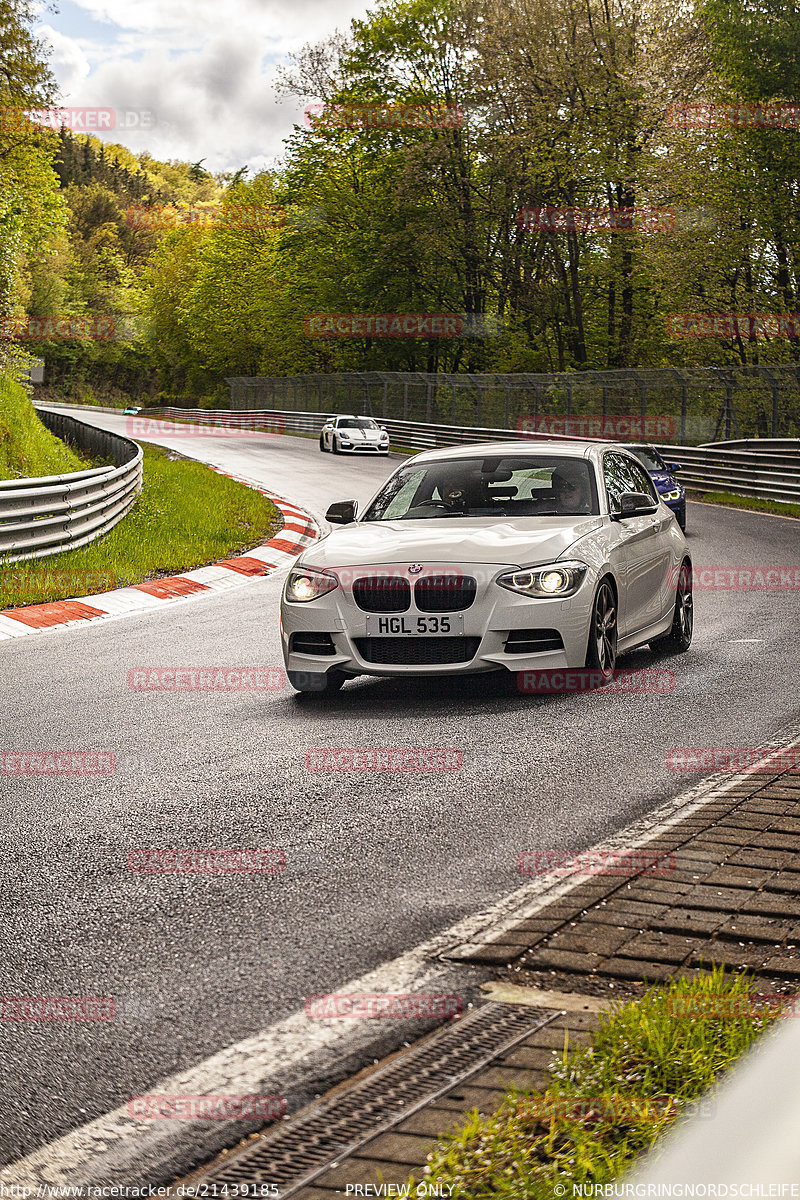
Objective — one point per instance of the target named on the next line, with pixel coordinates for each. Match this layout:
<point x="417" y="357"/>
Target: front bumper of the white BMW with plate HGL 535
<point x="502" y="629"/>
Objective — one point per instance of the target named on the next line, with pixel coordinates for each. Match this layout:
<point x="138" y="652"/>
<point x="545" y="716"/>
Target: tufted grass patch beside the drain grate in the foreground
<point x="607" y="1103"/>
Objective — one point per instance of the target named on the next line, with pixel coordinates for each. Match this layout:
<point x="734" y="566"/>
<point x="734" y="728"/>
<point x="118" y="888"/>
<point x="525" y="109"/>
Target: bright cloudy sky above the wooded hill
<point x="188" y="80"/>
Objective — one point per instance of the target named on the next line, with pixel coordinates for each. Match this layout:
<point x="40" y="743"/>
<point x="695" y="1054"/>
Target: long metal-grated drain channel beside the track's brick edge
<point x="294" y="1154"/>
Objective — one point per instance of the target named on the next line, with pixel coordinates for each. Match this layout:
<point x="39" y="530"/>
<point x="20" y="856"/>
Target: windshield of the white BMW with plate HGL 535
<point x="515" y="487"/>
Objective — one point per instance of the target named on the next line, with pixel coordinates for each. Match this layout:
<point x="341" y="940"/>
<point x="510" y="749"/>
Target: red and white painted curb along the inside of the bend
<point x="299" y="531"/>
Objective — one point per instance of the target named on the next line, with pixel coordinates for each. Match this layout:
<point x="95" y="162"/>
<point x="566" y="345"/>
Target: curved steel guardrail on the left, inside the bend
<point x="56" y="513"/>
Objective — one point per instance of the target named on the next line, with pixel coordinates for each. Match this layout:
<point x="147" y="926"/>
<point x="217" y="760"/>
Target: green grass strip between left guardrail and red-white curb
<point x="187" y="517"/>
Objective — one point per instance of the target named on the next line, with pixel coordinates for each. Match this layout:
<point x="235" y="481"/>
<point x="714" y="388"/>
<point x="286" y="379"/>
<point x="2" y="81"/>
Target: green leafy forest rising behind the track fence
<point x="570" y="177"/>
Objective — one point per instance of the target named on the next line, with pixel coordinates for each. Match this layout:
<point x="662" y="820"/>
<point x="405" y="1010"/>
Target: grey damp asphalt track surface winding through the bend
<point x="376" y="865"/>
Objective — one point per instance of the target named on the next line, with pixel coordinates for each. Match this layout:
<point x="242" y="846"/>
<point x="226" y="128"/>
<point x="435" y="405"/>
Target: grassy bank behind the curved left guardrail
<point x="27" y="448"/>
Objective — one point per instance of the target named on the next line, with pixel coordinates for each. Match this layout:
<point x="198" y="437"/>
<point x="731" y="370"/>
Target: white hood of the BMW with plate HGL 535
<point x="525" y="542"/>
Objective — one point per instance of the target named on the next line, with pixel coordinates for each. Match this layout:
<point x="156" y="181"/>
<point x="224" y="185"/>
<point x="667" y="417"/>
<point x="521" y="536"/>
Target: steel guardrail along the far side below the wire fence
<point x="768" y="469"/>
